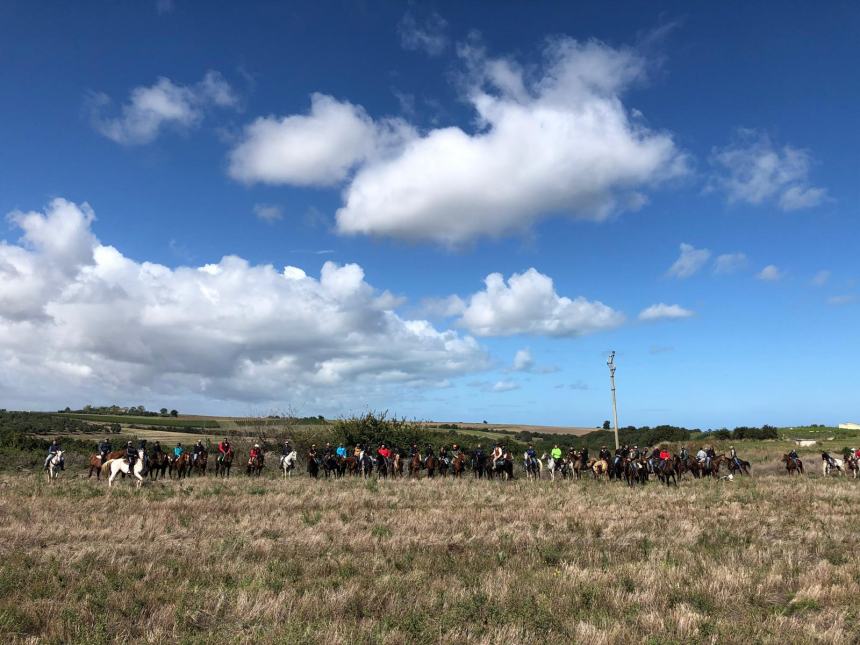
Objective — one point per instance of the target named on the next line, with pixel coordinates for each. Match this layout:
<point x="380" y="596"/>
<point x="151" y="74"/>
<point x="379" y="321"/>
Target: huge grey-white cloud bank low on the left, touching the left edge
<point x="78" y="318"/>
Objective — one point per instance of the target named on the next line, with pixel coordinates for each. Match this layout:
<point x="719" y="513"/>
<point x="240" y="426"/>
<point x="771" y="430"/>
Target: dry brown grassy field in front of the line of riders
<point x="767" y="559"/>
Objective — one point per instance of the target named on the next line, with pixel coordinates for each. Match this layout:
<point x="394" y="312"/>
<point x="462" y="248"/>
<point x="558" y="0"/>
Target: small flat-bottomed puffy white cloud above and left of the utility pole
<point x="528" y="304"/>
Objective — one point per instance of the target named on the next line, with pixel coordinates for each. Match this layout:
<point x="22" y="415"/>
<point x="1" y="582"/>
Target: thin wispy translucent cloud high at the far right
<point x="755" y="171"/>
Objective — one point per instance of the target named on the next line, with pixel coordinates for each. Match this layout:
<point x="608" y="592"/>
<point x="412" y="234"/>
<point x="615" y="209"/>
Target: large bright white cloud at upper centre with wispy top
<point x="556" y="141"/>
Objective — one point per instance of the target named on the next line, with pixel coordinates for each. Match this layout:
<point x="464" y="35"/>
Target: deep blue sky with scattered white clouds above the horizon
<point x="500" y="194"/>
